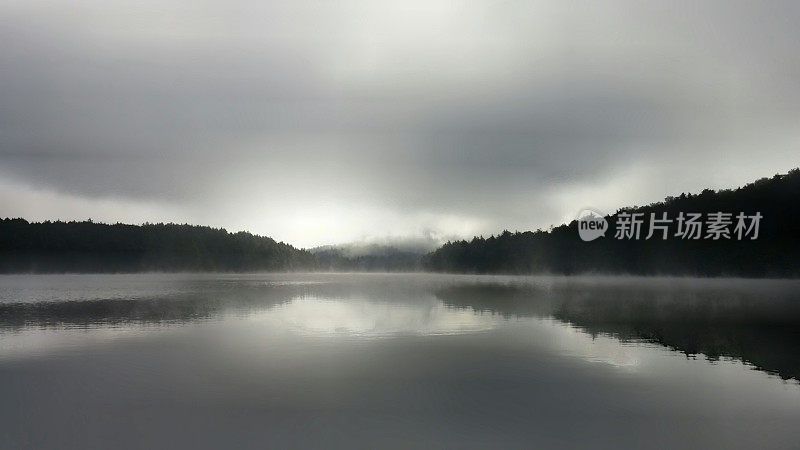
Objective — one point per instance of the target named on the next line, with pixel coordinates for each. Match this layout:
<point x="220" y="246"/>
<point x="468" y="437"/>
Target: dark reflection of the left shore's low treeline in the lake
<point x="179" y="308"/>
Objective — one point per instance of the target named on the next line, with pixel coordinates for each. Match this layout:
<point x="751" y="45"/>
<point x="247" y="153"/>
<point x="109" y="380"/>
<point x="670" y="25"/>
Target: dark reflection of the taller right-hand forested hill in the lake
<point x="756" y="322"/>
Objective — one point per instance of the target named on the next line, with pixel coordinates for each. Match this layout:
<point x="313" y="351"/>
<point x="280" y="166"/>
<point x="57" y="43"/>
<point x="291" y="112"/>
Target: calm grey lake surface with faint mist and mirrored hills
<point x="397" y="361"/>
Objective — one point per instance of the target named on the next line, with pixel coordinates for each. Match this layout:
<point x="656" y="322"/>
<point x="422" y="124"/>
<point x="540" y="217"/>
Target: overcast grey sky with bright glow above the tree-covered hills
<point x="319" y="122"/>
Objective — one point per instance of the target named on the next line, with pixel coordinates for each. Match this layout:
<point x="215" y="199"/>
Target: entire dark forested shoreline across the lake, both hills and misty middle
<point x="95" y="247"/>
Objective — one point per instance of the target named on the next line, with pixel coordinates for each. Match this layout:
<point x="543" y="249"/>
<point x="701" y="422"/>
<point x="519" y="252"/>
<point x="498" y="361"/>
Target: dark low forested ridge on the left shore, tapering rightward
<point x="93" y="247"/>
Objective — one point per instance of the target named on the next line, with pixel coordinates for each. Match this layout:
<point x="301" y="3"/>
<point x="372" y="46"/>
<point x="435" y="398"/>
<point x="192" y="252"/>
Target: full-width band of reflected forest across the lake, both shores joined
<point x="755" y="321"/>
